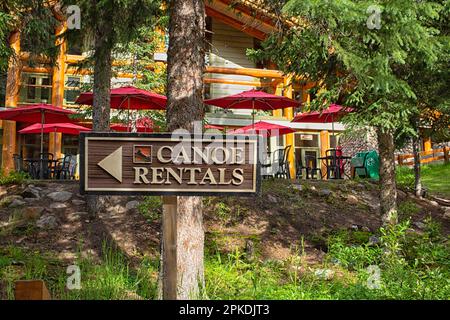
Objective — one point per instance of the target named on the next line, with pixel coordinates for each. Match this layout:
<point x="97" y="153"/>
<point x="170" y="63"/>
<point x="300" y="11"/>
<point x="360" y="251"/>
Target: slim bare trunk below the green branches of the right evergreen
<point x="388" y="191"/>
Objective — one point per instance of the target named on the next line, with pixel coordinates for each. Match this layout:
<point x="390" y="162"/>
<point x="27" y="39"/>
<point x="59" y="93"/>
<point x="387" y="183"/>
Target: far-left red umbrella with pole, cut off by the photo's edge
<point x="42" y="113"/>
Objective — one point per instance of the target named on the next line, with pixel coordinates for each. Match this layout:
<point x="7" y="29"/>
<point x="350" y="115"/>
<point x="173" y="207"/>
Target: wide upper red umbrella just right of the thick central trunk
<point x="253" y="99"/>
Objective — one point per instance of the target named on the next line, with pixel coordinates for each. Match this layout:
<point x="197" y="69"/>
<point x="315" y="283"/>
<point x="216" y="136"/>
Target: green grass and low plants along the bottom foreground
<point x="411" y="266"/>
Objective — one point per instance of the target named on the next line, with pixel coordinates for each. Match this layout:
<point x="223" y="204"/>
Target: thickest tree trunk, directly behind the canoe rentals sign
<point x="185" y="67"/>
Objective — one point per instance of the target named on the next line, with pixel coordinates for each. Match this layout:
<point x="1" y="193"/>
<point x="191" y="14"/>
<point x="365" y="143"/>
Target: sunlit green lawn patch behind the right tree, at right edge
<point x="435" y="178"/>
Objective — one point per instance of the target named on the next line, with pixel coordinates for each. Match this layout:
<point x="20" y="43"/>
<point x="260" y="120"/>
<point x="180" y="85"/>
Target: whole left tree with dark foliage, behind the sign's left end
<point x="110" y="24"/>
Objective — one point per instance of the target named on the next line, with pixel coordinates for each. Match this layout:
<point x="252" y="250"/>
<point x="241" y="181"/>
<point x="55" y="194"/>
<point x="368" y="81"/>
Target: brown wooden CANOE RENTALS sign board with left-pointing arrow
<point x="161" y="164"/>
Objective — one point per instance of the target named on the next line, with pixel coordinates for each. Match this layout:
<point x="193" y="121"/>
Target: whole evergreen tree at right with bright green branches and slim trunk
<point x="354" y="49"/>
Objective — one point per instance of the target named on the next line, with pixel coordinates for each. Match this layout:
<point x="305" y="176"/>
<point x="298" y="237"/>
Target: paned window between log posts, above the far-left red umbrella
<point x="35" y="88"/>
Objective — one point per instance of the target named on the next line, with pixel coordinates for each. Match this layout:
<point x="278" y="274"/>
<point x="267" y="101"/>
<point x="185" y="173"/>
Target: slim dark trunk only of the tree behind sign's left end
<point x="102" y="86"/>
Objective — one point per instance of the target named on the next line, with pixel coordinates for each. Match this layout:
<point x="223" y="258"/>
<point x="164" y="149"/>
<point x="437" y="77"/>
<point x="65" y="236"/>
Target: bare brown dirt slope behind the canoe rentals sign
<point x="285" y="218"/>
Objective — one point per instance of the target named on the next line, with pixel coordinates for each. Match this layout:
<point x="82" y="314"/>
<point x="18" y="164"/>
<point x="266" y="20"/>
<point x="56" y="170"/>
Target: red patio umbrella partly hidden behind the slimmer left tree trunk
<point x="129" y="98"/>
